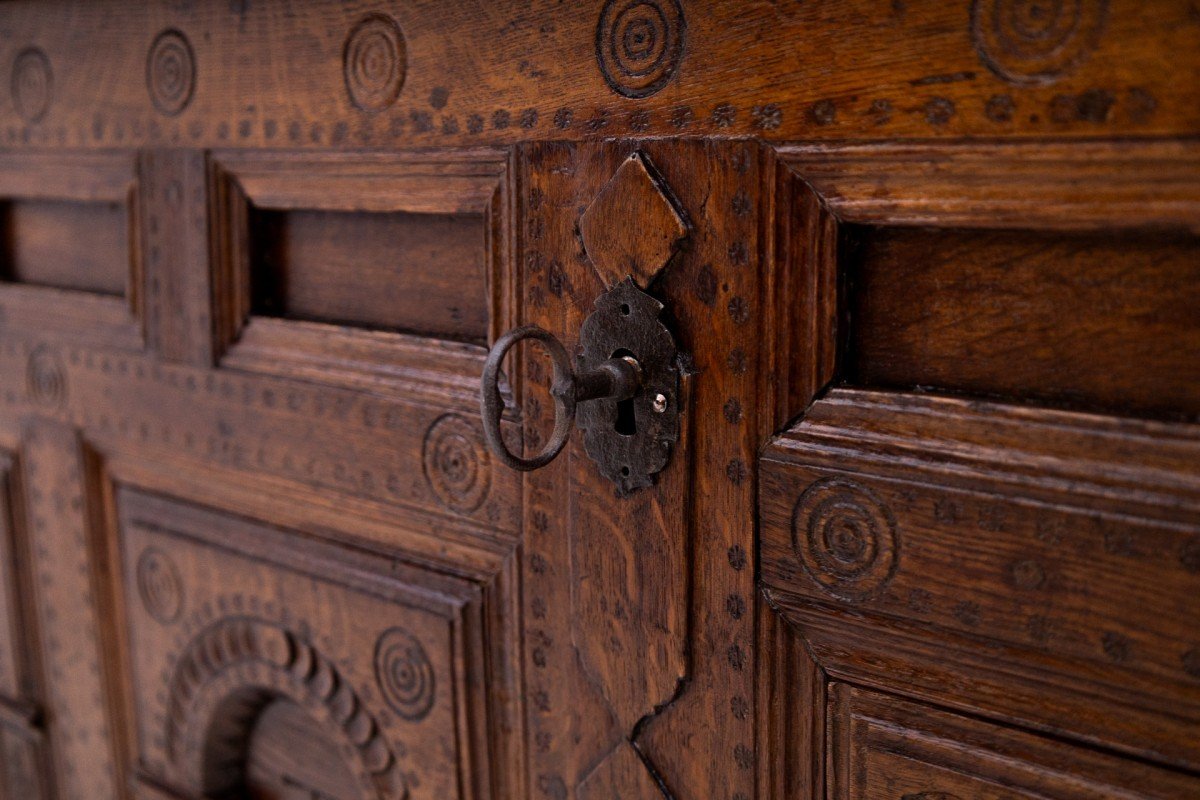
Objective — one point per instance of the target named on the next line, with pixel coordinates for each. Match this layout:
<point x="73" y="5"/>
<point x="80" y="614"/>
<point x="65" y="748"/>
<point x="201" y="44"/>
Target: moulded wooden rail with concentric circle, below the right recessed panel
<point x="1031" y="566"/>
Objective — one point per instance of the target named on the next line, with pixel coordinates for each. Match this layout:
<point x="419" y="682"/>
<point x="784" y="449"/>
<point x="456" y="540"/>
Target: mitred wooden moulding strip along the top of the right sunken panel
<point x="1054" y="185"/>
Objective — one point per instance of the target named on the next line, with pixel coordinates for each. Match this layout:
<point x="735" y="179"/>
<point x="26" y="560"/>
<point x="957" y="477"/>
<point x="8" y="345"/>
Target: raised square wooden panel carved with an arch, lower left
<point x="265" y="661"/>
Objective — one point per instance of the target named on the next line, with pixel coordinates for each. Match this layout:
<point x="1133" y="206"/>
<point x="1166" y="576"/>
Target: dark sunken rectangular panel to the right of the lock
<point x="1089" y="321"/>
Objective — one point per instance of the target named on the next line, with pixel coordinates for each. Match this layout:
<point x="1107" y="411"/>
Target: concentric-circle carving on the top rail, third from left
<point x="375" y="63"/>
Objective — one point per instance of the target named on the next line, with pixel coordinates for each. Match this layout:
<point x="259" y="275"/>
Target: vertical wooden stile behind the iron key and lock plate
<point x="640" y="652"/>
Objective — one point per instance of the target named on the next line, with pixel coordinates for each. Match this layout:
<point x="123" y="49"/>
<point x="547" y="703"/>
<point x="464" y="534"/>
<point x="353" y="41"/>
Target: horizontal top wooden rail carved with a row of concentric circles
<point x="483" y="71"/>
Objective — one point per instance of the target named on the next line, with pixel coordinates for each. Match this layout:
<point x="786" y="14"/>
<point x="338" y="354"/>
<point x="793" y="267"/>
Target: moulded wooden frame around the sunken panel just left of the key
<point x="442" y="182"/>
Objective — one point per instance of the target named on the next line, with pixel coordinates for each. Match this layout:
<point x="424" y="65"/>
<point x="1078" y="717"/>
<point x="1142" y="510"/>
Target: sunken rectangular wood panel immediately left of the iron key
<point x="416" y="273"/>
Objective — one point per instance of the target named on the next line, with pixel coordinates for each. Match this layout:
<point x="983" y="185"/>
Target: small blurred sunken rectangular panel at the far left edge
<point x="67" y="245"/>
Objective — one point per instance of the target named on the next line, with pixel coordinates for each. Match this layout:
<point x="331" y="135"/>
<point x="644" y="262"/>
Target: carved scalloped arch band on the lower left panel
<point x="233" y="669"/>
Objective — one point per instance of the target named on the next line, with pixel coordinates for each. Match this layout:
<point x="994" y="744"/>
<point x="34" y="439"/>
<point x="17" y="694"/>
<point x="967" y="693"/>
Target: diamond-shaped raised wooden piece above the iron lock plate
<point x="633" y="227"/>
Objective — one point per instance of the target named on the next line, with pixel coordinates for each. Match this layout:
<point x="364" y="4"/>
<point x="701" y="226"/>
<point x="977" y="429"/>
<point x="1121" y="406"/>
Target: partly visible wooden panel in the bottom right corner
<point x="886" y="749"/>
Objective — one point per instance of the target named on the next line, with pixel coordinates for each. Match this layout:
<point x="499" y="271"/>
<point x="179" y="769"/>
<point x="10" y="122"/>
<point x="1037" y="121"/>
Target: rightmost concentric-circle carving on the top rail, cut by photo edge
<point x="1036" y="41"/>
